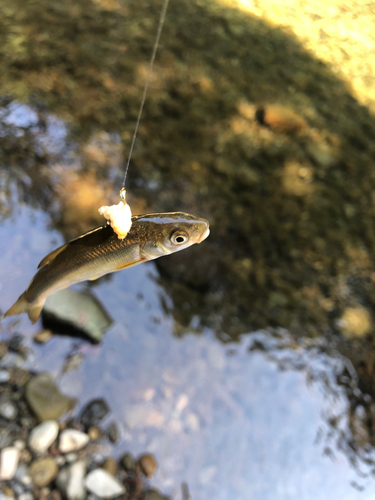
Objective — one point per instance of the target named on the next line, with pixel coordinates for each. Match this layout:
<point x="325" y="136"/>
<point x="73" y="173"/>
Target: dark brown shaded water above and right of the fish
<point x="241" y="125"/>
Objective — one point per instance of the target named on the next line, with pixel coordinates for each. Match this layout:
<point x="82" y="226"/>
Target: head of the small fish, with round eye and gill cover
<point x="171" y="232"/>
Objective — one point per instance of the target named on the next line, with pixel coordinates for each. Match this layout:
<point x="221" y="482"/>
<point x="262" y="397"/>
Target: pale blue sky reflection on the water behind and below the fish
<point x="224" y="419"/>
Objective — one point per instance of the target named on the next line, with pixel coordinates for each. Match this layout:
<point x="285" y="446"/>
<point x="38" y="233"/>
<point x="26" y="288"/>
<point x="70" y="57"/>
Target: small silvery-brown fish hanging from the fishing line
<point x="100" y="251"/>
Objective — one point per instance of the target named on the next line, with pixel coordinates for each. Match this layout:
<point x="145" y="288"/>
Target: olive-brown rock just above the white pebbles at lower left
<point x="45" y="398"/>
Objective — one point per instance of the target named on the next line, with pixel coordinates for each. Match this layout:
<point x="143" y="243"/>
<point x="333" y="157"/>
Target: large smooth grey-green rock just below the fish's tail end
<point x="81" y="313"/>
